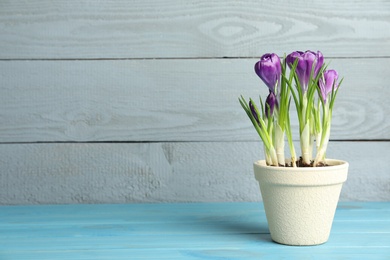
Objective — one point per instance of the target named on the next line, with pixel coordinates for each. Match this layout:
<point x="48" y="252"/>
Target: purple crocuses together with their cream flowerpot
<point x="300" y="195"/>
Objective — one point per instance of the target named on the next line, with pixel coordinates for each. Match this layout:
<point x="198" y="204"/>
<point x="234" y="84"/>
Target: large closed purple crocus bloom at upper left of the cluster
<point x="269" y="70"/>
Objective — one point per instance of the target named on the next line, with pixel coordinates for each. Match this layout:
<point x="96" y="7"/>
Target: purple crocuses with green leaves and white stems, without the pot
<point x="304" y="78"/>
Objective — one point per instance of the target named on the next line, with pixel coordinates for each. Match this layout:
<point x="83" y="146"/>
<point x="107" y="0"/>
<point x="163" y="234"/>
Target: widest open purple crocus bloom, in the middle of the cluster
<point x="306" y="61"/>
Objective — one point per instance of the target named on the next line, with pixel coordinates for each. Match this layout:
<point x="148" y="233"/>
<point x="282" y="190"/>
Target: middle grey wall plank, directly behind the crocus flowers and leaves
<point x="167" y="100"/>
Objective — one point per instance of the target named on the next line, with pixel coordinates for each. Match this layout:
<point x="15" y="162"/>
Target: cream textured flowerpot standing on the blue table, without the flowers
<point x="300" y="203"/>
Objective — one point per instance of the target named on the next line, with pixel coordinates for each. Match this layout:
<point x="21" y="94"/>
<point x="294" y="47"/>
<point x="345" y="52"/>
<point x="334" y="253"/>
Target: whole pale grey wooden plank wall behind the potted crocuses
<point x="136" y="101"/>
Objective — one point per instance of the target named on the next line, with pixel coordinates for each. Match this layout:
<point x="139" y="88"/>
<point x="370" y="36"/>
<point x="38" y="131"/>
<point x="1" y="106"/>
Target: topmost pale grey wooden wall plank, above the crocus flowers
<point x="153" y="29"/>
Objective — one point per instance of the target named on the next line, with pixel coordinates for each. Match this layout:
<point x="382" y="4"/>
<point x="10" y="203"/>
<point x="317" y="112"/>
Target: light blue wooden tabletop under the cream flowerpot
<point x="181" y="231"/>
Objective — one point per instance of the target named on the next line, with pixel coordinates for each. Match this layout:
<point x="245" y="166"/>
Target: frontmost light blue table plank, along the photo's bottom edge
<point x="224" y="253"/>
